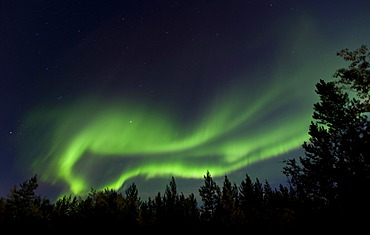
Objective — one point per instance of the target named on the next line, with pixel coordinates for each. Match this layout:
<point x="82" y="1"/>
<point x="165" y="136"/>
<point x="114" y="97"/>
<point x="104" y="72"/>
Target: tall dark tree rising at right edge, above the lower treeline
<point x="335" y="171"/>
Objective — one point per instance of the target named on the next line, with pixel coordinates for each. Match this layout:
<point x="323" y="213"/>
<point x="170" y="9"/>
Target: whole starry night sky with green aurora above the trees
<point x="105" y="93"/>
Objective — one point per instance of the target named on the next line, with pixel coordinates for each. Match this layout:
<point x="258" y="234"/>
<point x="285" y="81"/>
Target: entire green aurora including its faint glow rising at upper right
<point x="103" y="141"/>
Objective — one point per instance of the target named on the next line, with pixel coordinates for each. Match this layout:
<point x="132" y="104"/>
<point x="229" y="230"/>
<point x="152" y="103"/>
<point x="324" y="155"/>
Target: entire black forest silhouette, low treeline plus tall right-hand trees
<point x="327" y="188"/>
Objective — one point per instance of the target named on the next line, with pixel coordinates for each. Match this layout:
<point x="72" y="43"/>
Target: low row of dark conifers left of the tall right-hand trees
<point x="249" y="205"/>
